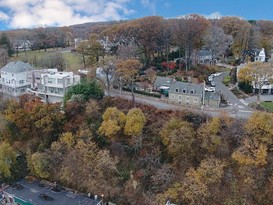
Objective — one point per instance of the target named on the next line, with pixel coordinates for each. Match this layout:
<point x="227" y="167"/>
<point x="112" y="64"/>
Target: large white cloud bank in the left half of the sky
<point x="33" y="13"/>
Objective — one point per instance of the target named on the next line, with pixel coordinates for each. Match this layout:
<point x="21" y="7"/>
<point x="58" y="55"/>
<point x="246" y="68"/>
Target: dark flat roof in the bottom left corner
<point x="32" y="190"/>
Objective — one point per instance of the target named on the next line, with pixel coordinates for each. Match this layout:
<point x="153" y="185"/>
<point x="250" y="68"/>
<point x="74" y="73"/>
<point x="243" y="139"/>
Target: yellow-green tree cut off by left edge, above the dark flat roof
<point x="7" y="159"/>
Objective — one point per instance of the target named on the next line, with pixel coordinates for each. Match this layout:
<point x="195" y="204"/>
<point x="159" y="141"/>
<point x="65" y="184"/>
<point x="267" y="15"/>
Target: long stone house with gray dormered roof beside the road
<point x="186" y="94"/>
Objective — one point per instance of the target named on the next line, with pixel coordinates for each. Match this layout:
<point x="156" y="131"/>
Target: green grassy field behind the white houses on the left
<point x="72" y="60"/>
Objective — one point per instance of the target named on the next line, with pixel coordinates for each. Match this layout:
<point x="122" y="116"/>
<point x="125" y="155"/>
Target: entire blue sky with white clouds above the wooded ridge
<point x="36" y="13"/>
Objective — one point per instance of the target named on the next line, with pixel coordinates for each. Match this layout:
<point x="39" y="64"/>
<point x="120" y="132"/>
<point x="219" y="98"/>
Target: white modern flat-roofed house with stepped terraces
<point x="51" y="85"/>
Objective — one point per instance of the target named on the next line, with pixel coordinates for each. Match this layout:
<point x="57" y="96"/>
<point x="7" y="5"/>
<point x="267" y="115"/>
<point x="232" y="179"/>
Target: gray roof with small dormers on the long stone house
<point x="186" y="88"/>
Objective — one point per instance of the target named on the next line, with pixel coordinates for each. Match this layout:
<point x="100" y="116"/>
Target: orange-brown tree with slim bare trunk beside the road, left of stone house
<point x="127" y="70"/>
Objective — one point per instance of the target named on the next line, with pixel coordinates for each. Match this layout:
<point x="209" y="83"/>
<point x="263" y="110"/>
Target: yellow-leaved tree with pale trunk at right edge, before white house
<point x="258" y="73"/>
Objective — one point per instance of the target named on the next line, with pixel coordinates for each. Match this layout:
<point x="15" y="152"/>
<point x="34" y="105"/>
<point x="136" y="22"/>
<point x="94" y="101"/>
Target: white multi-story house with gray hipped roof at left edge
<point x="14" y="78"/>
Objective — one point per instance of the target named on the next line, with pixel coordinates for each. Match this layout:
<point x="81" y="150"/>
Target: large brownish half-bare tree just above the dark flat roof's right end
<point x="86" y="166"/>
